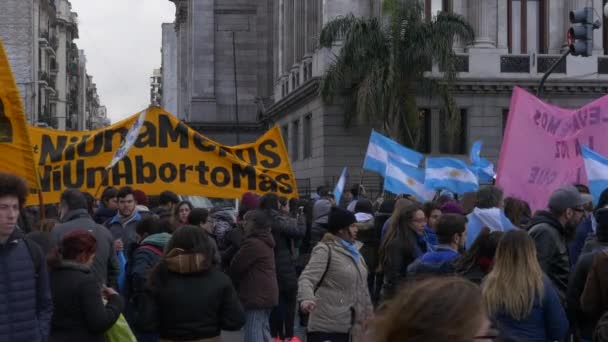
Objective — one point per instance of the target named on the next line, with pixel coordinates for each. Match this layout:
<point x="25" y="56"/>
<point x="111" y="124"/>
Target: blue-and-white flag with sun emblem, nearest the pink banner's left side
<point x="450" y="174"/>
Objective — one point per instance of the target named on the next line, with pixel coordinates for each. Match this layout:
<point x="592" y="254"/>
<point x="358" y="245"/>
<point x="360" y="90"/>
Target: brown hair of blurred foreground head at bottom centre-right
<point x="435" y="309"/>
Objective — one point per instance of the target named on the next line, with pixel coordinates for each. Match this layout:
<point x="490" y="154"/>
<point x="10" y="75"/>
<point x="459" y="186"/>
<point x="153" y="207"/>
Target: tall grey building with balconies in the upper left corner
<point x="38" y="36"/>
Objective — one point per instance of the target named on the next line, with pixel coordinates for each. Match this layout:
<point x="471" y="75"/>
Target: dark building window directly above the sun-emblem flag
<point x="453" y="135"/>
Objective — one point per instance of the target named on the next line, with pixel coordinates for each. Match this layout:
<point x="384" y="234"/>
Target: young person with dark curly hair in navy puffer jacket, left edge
<point x="26" y="310"/>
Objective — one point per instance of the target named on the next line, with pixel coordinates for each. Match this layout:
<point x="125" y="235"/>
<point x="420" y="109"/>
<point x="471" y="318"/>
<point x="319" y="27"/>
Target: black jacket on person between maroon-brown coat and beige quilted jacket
<point x="285" y="231"/>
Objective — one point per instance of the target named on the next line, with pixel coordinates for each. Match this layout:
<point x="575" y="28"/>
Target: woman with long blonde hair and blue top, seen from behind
<point x="519" y="297"/>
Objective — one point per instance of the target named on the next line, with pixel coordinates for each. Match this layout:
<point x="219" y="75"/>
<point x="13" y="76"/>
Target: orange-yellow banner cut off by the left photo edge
<point x="15" y="148"/>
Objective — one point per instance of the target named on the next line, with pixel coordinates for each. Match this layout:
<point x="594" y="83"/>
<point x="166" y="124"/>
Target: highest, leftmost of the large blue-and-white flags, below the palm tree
<point x="381" y="147"/>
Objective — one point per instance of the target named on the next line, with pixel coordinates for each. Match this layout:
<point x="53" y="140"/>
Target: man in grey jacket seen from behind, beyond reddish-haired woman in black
<point x="74" y="216"/>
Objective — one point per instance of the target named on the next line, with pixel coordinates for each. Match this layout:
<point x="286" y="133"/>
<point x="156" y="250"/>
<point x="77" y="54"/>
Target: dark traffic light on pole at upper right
<point x="580" y="36"/>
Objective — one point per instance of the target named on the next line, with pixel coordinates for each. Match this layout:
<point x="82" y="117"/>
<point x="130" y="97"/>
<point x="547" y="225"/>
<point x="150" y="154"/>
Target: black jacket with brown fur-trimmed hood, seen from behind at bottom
<point x="189" y="299"/>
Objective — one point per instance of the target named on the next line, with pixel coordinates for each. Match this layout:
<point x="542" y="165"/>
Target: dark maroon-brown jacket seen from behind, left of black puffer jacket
<point x="253" y="272"/>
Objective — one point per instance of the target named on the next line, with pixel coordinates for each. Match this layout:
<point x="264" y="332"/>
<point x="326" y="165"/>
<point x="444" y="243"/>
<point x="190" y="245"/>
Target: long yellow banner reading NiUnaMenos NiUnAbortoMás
<point x="167" y="155"/>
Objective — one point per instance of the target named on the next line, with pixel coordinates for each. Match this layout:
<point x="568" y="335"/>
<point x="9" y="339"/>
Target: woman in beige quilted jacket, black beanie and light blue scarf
<point x="333" y="289"/>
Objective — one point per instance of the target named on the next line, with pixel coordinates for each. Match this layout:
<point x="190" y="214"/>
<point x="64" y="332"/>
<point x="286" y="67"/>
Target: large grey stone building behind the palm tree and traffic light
<point x="515" y="43"/>
